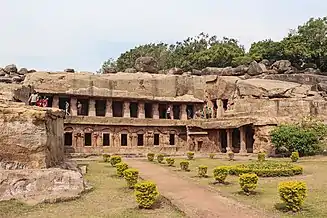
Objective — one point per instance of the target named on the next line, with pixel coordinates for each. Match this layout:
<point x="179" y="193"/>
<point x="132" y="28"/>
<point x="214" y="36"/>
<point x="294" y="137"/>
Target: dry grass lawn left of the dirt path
<point x="110" y="198"/>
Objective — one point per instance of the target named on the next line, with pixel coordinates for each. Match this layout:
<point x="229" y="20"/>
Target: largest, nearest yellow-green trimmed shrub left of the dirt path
<point x="146" y="194"/>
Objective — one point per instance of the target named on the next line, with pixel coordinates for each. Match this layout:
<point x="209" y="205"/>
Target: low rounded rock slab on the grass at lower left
<point x="41" y="186"/>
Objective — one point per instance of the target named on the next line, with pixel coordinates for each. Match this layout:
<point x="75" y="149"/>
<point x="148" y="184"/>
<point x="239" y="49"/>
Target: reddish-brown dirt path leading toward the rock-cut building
<point x="193" y="199"/>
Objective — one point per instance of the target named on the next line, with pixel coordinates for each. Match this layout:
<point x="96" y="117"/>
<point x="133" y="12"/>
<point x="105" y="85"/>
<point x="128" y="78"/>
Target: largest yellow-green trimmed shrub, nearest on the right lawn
<point x="292" y="193"/>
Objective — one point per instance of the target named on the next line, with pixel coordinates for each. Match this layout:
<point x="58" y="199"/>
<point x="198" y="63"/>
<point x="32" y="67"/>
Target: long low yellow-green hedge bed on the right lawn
<point x="267" y="169"/>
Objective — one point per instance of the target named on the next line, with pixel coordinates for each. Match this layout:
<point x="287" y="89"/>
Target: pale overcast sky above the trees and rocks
<point x="81" y="34"/>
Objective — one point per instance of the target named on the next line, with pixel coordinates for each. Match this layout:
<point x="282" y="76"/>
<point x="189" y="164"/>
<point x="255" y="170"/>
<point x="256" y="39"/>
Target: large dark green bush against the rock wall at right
<point x="305" y="137"/>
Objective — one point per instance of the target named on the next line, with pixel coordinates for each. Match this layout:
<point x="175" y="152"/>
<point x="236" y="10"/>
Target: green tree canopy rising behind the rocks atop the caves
<point x="304" y="46"/>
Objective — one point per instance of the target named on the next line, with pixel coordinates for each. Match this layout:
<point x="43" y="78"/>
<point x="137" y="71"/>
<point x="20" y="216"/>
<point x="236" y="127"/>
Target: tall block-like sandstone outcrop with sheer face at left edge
<point x="30" y="137"/>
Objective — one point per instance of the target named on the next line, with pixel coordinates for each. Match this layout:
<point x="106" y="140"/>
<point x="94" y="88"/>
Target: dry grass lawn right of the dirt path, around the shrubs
<point x="315" y="175"/>
